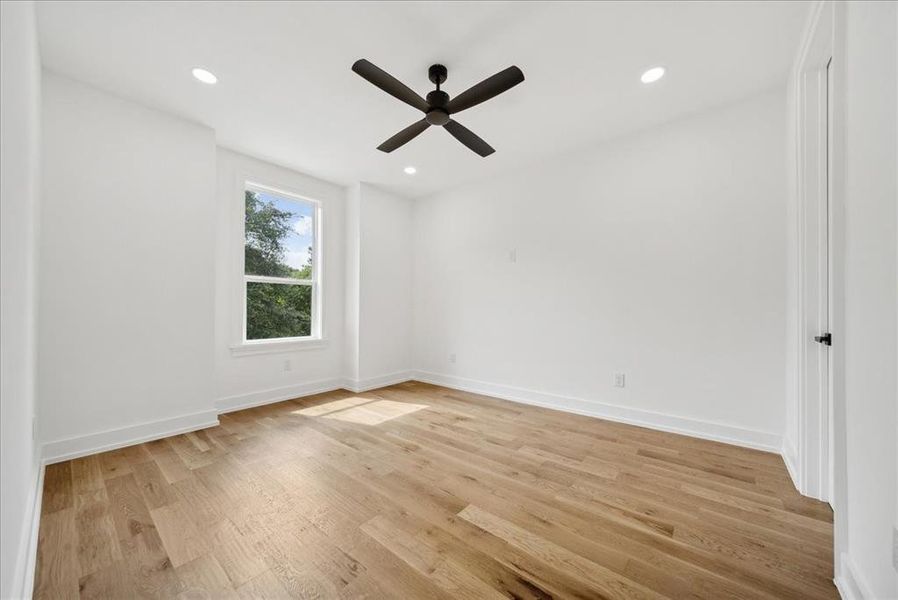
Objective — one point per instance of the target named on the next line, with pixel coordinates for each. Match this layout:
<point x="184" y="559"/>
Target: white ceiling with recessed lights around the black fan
<point x="286" y="92"/>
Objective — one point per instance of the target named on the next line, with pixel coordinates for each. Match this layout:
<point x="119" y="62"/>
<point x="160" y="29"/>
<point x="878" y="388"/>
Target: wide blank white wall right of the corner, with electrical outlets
<point x="660" y="255"/>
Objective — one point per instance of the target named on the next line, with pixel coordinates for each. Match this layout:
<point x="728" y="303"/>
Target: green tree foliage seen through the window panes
<point x="273" y="310"/>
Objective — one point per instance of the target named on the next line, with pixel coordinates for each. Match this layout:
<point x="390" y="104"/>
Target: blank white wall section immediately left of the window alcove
<point x="126" y="269"/>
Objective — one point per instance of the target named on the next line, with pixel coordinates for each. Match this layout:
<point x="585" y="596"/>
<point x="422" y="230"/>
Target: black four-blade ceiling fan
<point x="438" y="108"/>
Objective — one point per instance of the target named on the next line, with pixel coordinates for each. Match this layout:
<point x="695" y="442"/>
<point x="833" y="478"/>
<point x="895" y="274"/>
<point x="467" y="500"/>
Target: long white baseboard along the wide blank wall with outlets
<point x="719" y="432"/>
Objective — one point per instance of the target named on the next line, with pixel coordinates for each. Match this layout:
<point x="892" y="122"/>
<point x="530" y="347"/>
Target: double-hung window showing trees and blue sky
<point x="280" y="266"/>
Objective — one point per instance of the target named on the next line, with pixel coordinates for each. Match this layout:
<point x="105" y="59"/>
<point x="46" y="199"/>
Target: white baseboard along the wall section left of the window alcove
<point x="60" y="450"/>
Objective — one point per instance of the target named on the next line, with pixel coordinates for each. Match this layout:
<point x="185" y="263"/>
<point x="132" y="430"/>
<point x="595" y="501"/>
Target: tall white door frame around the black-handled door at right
<point x="820" y="402"/>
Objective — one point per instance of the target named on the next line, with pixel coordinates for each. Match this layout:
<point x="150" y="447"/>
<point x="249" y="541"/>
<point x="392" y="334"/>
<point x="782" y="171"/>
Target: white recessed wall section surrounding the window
<point x="242" y="380"/>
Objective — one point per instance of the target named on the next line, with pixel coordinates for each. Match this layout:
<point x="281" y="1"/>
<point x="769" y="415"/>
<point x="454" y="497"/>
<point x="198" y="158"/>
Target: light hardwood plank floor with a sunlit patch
<point x="417" y="491"/>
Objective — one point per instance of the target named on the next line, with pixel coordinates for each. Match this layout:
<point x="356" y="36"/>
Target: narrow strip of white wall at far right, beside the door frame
<point x="871" y="356"/>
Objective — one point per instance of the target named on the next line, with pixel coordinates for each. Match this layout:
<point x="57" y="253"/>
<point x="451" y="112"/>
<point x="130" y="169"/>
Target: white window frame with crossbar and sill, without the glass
<point x="269" y="345"/>
